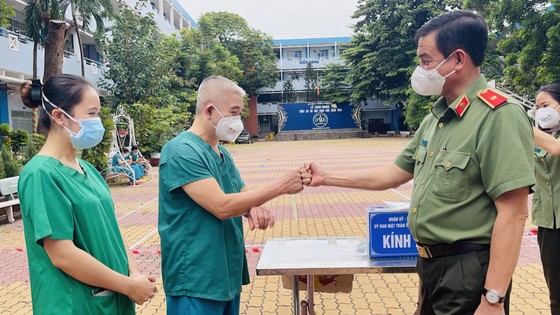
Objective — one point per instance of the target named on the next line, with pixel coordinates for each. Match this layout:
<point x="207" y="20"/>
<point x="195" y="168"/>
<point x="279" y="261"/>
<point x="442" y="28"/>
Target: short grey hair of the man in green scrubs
<point x="215" y="89"/>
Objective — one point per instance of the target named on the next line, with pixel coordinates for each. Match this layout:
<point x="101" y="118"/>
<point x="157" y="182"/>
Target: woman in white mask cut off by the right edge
<point x="546" y="205"/>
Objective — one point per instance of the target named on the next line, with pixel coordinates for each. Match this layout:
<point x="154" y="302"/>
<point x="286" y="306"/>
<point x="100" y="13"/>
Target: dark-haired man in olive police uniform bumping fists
<point x="471" y="161"/>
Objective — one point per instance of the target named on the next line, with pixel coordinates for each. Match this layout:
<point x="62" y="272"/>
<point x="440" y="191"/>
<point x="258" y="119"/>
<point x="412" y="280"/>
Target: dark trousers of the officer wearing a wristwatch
<point x="452" y="285"/>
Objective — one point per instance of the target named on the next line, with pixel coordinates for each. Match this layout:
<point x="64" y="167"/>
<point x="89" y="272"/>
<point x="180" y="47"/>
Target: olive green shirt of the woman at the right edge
<point x="546" y="206"/>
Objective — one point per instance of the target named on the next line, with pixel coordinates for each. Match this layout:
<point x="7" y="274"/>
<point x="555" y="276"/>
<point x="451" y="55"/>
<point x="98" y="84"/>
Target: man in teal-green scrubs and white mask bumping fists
<point x="201" y="200"/>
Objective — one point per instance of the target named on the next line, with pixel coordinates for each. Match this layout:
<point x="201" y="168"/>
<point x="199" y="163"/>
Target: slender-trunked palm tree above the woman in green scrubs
<point x="88" y="10"/>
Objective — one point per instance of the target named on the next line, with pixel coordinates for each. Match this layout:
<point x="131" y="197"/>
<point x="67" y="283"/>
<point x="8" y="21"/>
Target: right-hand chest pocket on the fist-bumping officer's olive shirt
<point x="451" y="176"/>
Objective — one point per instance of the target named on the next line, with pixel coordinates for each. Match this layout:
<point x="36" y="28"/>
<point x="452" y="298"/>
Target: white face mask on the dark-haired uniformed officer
<point x="429" y="82"/>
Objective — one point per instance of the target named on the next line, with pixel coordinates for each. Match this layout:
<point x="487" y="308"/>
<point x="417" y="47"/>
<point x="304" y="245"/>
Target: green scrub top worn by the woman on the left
<point x="59" y="202"/>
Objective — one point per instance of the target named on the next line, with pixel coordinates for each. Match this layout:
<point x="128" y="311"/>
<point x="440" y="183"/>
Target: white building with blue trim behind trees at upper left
<point x="16" y="51"/>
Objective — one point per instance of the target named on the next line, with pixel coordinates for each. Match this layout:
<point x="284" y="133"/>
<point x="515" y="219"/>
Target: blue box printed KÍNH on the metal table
<point x="387" y="232"/>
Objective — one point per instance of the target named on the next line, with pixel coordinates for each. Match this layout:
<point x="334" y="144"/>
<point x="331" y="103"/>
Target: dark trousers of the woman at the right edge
<point x="549" y="244"/>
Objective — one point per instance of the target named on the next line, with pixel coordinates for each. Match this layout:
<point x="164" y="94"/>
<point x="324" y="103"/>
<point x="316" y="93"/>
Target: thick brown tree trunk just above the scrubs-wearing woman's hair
<point x="54" y="48"/>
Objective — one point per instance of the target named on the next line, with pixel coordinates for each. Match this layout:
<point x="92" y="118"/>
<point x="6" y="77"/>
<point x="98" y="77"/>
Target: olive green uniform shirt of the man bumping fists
<point x="462" y="163"/>
